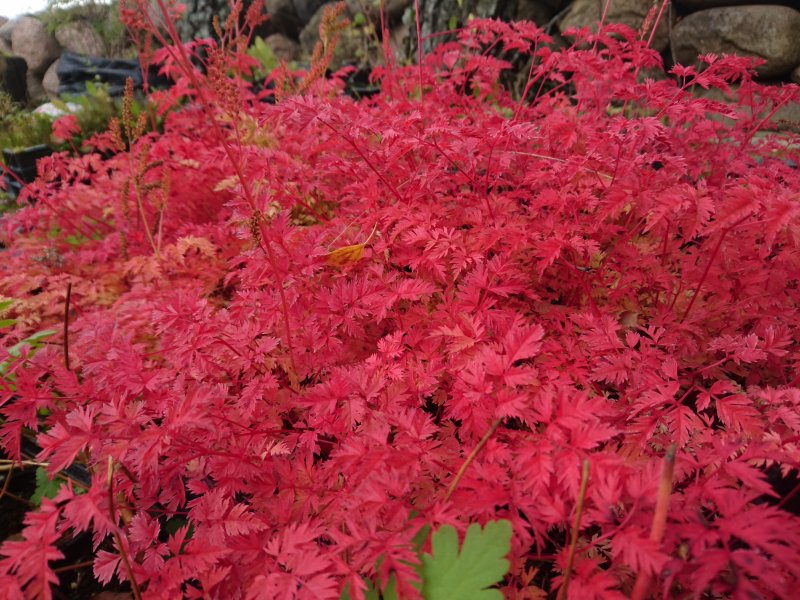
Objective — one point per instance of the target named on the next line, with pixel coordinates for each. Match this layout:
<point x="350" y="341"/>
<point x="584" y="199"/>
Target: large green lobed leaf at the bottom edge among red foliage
<point x="469" y="574"/>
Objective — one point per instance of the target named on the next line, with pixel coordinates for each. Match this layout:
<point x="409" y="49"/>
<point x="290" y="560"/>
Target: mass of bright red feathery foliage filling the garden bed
<point x="601" y="269"/>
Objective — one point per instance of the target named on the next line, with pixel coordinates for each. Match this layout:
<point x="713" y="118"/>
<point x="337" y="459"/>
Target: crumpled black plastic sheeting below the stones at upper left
<point x="74" y="70"/>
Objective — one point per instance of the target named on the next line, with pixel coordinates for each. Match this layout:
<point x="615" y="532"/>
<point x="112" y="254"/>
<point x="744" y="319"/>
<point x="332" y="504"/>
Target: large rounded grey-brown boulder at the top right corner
<point x="770" y="32"/>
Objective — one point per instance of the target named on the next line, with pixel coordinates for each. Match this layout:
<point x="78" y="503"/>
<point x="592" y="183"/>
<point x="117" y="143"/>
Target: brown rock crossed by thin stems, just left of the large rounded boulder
<point x="586" y="13"/>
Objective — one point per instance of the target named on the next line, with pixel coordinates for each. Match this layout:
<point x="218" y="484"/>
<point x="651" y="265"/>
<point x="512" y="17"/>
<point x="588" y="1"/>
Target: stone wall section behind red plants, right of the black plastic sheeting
<point x="687" y="28"/>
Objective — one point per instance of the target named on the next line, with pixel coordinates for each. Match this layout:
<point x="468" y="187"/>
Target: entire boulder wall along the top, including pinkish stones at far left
<point x="686" y="29"/>
